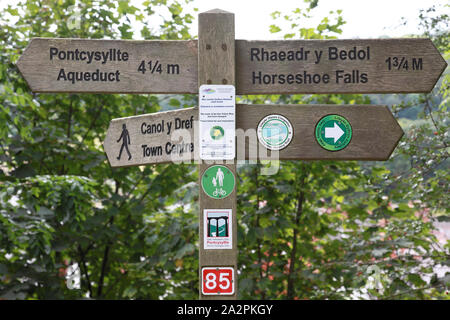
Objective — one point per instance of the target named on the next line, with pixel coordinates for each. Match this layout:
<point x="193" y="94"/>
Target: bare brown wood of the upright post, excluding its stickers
<point x="216" y="65"/>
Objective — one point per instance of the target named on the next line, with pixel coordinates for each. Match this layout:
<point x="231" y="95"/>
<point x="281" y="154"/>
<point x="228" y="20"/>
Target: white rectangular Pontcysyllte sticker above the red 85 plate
<point x="218" y="229"/>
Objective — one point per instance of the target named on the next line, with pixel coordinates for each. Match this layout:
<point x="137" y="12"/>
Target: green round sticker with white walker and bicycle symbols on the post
<point x="218" y="182"/>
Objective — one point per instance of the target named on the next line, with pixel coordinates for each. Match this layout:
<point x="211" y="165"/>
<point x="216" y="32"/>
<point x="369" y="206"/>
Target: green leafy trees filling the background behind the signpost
<point x="315" y="230"/>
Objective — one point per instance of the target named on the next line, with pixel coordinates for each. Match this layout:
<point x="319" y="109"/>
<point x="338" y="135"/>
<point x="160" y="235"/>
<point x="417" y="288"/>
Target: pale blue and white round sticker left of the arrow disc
<point x="275" y="132"/>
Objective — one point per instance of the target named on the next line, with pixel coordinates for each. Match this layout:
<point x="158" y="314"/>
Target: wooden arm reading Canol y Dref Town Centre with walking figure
<point x="152" y="138"/>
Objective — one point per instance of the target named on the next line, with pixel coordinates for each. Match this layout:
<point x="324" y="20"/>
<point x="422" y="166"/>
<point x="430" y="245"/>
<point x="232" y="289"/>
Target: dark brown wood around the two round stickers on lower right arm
<point x="375" y="131"/>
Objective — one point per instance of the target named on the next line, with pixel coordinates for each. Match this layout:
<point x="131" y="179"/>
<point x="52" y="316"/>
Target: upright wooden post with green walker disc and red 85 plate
<point x="216" y="66"/>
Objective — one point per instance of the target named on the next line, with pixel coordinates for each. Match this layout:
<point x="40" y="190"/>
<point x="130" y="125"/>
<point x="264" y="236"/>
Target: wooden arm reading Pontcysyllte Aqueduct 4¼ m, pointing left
<point x="110" y="66"/>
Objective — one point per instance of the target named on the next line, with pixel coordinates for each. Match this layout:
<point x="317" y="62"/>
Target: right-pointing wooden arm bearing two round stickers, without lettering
<point x="316" y="132"/>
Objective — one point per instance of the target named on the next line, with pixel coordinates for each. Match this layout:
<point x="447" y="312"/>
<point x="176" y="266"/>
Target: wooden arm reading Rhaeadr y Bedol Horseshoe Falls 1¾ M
<point x="374" y="65"/>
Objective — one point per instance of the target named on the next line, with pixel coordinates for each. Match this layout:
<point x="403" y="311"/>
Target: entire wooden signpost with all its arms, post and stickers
<point x="281" y="132"/>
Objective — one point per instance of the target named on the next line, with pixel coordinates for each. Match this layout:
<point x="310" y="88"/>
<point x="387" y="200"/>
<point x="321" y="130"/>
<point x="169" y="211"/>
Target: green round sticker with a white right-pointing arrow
<point x="333" y="132"/>
